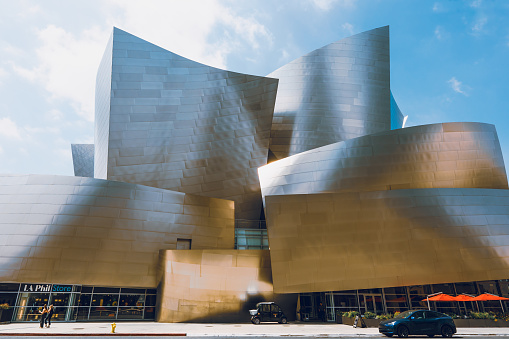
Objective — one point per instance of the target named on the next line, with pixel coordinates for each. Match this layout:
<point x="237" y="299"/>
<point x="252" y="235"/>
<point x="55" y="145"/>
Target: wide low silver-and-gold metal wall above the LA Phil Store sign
<point x="57" y="229"/>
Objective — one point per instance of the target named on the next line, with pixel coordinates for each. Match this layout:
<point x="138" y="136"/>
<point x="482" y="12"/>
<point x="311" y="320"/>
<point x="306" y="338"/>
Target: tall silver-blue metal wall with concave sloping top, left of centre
<point x="184" y="126"/>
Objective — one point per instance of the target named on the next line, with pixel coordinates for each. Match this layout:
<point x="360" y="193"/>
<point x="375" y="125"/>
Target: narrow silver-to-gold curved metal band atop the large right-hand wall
<point x="439" y="155"/>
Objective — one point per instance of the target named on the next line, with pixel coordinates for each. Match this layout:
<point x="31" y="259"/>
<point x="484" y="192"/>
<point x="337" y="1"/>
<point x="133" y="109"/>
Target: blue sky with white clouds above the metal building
<point x="449" y="59"/>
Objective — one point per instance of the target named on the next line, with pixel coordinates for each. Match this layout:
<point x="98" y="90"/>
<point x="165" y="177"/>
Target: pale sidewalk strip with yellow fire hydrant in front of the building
<point x="222" y="330"/>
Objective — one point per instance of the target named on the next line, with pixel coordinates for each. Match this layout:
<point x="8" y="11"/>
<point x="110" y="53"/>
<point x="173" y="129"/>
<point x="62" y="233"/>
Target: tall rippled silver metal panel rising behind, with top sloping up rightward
<point x="338" y="92"/>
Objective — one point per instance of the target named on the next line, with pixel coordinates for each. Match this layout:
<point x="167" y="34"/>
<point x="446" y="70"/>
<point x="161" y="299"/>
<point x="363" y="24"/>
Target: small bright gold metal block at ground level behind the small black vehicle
<point x="215" y="285"/>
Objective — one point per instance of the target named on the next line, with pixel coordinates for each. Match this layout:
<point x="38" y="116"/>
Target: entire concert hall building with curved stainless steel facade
<point x="360" y="213"/>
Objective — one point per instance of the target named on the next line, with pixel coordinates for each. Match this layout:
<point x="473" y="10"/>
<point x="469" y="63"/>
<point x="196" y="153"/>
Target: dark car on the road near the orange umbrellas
<point x="421" y="322"/>
